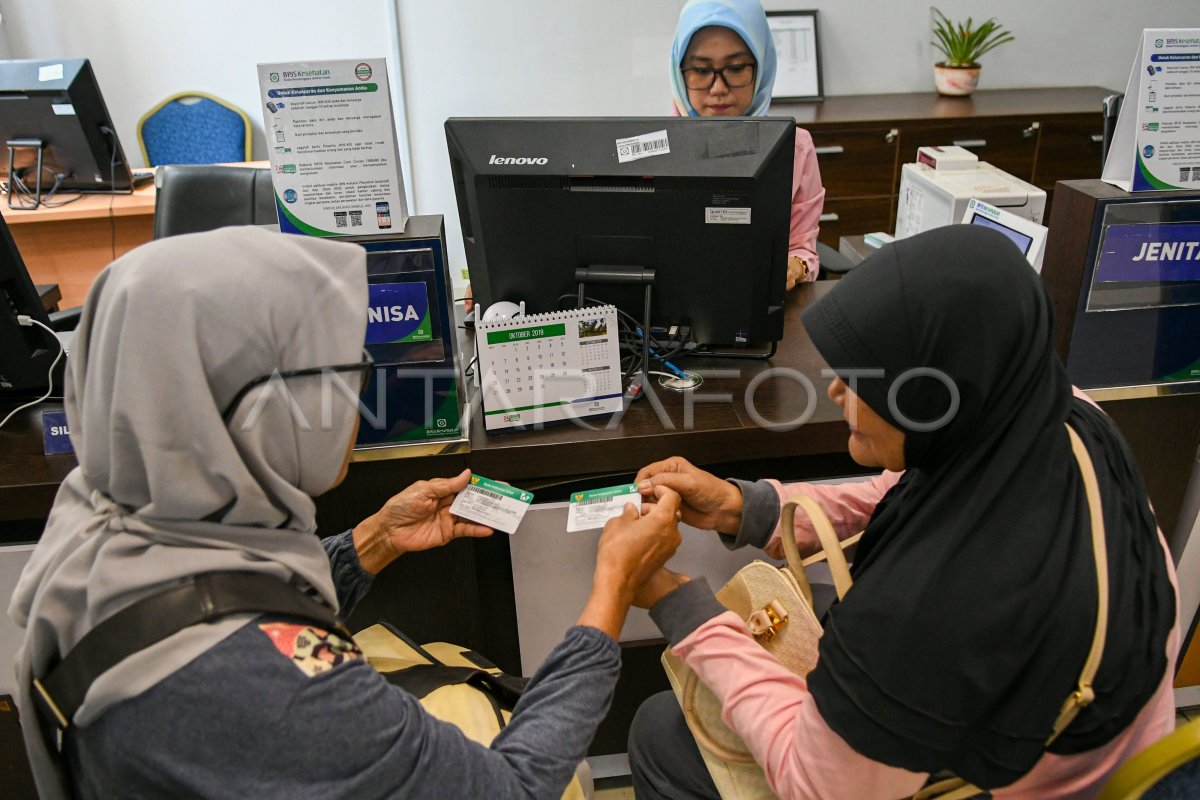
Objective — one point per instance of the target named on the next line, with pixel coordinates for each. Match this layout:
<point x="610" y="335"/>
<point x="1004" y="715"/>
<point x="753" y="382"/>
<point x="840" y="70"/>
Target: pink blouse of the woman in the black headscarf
<point x="802" y="757"/>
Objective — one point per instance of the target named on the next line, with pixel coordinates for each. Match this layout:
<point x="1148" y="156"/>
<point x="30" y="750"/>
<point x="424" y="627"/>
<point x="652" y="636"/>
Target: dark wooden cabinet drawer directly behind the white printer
<point x="1010" y="145"/>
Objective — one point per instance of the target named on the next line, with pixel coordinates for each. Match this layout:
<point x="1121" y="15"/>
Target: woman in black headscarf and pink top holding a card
<point x="975" y="594"/>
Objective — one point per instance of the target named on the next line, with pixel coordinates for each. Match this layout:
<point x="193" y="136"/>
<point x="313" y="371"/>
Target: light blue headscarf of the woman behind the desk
<point x="745" y="19"/>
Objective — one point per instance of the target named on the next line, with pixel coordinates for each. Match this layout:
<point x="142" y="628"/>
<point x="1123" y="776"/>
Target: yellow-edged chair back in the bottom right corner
<point x="1167" y="771"/>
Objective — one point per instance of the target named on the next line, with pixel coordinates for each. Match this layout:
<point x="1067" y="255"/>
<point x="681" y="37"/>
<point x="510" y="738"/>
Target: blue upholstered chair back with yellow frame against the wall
<point x="194" y="129"/>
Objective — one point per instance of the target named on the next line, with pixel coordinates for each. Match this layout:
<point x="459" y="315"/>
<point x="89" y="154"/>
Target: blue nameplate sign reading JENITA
<point x="1150" y="254"/>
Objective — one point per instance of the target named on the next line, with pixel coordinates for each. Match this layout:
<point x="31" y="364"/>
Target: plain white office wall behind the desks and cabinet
<point x="481" y="58"/>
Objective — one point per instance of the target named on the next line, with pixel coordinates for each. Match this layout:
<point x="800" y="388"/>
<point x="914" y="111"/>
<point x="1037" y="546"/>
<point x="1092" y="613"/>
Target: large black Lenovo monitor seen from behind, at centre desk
<point x="705" y="203"/>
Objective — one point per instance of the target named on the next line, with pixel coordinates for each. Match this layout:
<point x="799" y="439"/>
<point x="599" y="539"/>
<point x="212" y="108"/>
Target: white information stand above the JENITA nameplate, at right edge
<point x="1157" y="141"/>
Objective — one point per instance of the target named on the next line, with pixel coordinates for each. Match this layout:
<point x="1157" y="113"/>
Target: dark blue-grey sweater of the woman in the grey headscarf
<point x="243" y="721"/>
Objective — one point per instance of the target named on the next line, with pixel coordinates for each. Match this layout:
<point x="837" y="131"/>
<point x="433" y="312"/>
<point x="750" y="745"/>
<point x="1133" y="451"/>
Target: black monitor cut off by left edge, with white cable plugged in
<point x="26" y="353"/>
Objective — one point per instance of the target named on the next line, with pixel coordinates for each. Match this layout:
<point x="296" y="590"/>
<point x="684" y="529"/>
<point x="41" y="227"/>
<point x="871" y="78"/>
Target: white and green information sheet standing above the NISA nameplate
<point x="332" y="140"/>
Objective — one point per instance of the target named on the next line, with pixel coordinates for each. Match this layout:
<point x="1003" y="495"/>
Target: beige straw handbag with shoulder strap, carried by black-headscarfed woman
<point x="777" y="605"/>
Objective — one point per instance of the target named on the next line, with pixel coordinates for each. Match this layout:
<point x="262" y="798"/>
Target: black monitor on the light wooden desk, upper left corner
<point x="58" y="104"/>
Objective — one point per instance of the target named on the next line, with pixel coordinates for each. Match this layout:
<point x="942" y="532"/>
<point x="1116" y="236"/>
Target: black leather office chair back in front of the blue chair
<point x="195" y="199"/>
